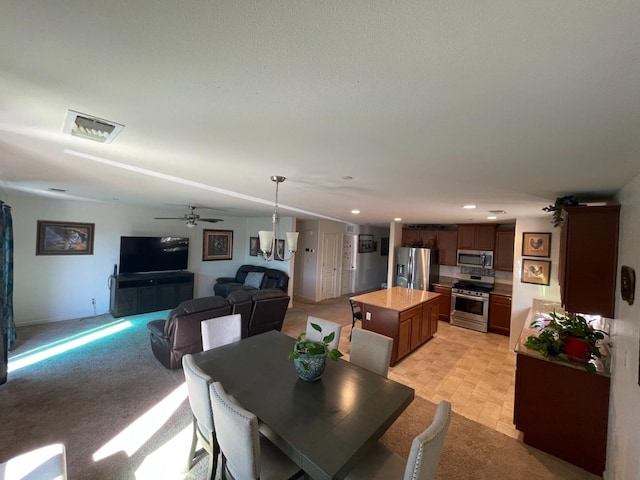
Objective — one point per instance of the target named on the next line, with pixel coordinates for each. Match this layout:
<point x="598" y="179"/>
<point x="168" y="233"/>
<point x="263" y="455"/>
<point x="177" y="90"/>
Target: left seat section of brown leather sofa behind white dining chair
<point x="180" y="333"/>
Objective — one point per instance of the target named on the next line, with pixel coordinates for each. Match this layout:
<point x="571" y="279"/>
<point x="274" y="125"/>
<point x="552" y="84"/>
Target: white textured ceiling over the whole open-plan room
<point x="428" y="105"/>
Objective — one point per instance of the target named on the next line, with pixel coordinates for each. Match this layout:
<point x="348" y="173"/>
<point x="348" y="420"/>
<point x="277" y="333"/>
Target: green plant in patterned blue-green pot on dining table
<point x="310" y="356"/>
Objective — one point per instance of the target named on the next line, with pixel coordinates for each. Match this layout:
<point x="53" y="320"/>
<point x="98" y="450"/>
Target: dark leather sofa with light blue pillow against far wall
<point x="264" y="279"/>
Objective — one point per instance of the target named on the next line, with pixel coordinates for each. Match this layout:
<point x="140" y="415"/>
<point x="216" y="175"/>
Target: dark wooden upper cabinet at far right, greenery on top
<point x="588" y="259"/>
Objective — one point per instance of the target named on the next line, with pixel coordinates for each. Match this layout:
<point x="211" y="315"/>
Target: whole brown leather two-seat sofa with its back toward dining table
<point x="181" y="333"/>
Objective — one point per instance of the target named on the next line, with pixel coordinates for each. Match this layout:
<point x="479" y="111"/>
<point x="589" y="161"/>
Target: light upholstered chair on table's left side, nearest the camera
<point x="245" y="453"/>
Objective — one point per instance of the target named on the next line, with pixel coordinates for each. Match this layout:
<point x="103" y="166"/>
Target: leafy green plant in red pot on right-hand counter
<point x="568" y="337"/>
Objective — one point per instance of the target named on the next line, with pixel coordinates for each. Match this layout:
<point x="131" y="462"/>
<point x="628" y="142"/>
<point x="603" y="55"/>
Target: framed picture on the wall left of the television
<point x="64" y="238"/>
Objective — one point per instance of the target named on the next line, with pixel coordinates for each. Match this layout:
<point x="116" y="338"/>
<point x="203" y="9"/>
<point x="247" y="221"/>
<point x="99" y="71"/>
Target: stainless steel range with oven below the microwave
<point x="470" y="299"/>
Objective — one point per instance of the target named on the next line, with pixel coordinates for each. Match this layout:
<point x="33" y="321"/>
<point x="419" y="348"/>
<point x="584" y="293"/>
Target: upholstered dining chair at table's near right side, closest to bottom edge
<point x="380" y="463"/>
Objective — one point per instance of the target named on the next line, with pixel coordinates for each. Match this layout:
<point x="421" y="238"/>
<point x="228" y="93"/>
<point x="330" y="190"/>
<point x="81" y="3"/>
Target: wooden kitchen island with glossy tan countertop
<point x="408" y="316"/>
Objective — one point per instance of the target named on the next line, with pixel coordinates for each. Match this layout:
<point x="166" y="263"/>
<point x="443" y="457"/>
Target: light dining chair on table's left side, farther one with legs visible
<point x="203" y="427"/>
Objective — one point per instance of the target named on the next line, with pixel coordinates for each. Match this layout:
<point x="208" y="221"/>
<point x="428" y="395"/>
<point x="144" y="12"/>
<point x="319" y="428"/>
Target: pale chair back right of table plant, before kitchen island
<point x="371" y="350"/>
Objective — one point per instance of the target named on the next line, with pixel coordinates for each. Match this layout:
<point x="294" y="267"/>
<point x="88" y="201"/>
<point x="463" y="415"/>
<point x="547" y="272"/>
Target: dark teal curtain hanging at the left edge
<point x="7" y="324"/>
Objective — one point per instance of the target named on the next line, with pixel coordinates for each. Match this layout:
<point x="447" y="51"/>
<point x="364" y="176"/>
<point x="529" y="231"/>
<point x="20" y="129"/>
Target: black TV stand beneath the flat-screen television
<point x="136" y="293"/>
